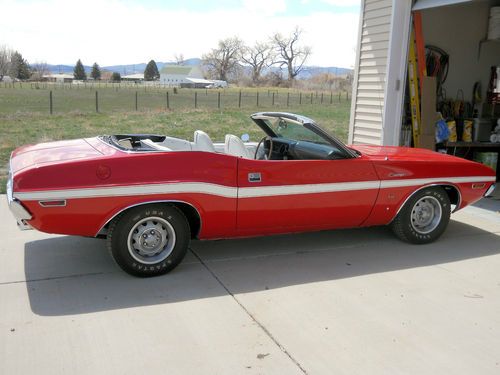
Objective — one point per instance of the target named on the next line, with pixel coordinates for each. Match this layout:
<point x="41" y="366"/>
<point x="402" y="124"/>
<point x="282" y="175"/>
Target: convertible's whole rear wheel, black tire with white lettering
<point x="166" y="235"/>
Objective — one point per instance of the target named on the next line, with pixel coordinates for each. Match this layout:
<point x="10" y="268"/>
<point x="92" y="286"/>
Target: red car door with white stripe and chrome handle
<point x="297" y="195"/>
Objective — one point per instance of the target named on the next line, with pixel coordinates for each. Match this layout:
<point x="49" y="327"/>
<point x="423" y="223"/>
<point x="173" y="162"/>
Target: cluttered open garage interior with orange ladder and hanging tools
<point x="459" y="94"/>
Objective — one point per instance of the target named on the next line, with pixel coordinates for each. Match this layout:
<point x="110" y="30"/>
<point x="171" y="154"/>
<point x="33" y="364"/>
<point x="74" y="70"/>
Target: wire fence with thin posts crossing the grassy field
<point x="55" y="98"/>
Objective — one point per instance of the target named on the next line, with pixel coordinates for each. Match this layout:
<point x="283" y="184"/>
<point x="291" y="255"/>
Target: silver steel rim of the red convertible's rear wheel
<point x="151" y="240"/>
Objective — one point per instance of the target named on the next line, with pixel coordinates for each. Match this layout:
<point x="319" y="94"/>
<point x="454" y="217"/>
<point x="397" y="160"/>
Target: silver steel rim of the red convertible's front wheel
<point x="426" y="214"/>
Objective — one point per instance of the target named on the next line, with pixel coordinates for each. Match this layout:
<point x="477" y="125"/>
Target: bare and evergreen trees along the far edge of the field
<point x="230" y="60"/>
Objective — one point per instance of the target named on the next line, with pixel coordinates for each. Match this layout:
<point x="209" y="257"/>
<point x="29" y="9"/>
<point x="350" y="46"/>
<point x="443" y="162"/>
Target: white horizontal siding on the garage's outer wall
<point x="370" y="77"/>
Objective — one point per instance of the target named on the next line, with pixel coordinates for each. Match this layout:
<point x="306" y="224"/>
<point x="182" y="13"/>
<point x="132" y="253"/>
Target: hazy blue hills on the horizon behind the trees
<point x="308" y="71"/>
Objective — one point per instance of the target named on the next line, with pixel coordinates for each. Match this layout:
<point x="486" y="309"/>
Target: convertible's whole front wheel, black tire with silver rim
<point x="424" y="217"/>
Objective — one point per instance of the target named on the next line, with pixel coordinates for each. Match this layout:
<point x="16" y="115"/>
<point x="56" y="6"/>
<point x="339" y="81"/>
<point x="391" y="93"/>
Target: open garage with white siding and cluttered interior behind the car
<point x="456" y="44"/>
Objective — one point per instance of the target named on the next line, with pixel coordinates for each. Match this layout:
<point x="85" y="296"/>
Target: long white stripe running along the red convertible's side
<point x="233" y="192"/>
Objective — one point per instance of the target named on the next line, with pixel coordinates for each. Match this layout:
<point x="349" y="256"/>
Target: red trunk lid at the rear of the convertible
<point x="51" y="152"/>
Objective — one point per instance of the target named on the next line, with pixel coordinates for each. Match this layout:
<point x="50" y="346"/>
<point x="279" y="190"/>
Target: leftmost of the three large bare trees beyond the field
<point x="223" y="60"/>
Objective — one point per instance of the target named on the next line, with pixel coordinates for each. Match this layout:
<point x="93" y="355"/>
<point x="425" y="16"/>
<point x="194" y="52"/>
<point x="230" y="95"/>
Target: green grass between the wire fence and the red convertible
<point x="21" y="127"/>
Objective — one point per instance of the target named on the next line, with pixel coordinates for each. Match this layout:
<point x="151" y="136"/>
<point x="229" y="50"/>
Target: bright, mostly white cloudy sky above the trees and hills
<point x="113" y="32"/>
